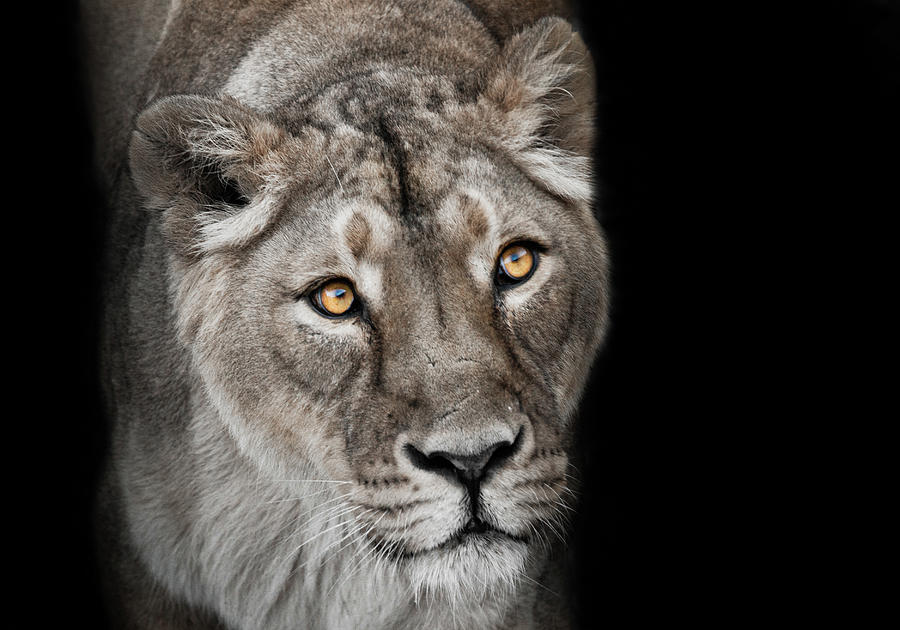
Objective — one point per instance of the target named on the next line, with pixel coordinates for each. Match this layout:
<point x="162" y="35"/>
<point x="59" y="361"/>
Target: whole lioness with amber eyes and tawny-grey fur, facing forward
<point x="356" y="286"/>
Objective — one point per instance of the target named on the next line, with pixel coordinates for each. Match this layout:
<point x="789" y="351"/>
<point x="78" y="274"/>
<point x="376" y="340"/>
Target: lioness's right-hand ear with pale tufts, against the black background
<point x="543" y="84"/>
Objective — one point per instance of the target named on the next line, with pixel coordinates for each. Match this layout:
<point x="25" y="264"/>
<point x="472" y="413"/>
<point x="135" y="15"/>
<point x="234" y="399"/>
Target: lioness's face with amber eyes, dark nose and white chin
<point x="397" y="306"/>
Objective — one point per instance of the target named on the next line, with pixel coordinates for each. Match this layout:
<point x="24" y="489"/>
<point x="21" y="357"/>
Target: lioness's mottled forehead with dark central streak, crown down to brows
<point x="394" y="167"/>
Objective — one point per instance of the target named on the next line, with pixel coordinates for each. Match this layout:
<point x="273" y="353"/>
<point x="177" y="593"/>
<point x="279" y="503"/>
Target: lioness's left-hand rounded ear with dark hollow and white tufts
<point x="211" y="166"/>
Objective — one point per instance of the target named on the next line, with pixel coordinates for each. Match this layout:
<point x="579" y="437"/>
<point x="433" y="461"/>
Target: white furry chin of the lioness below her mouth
<point x="469" y="566"/>
